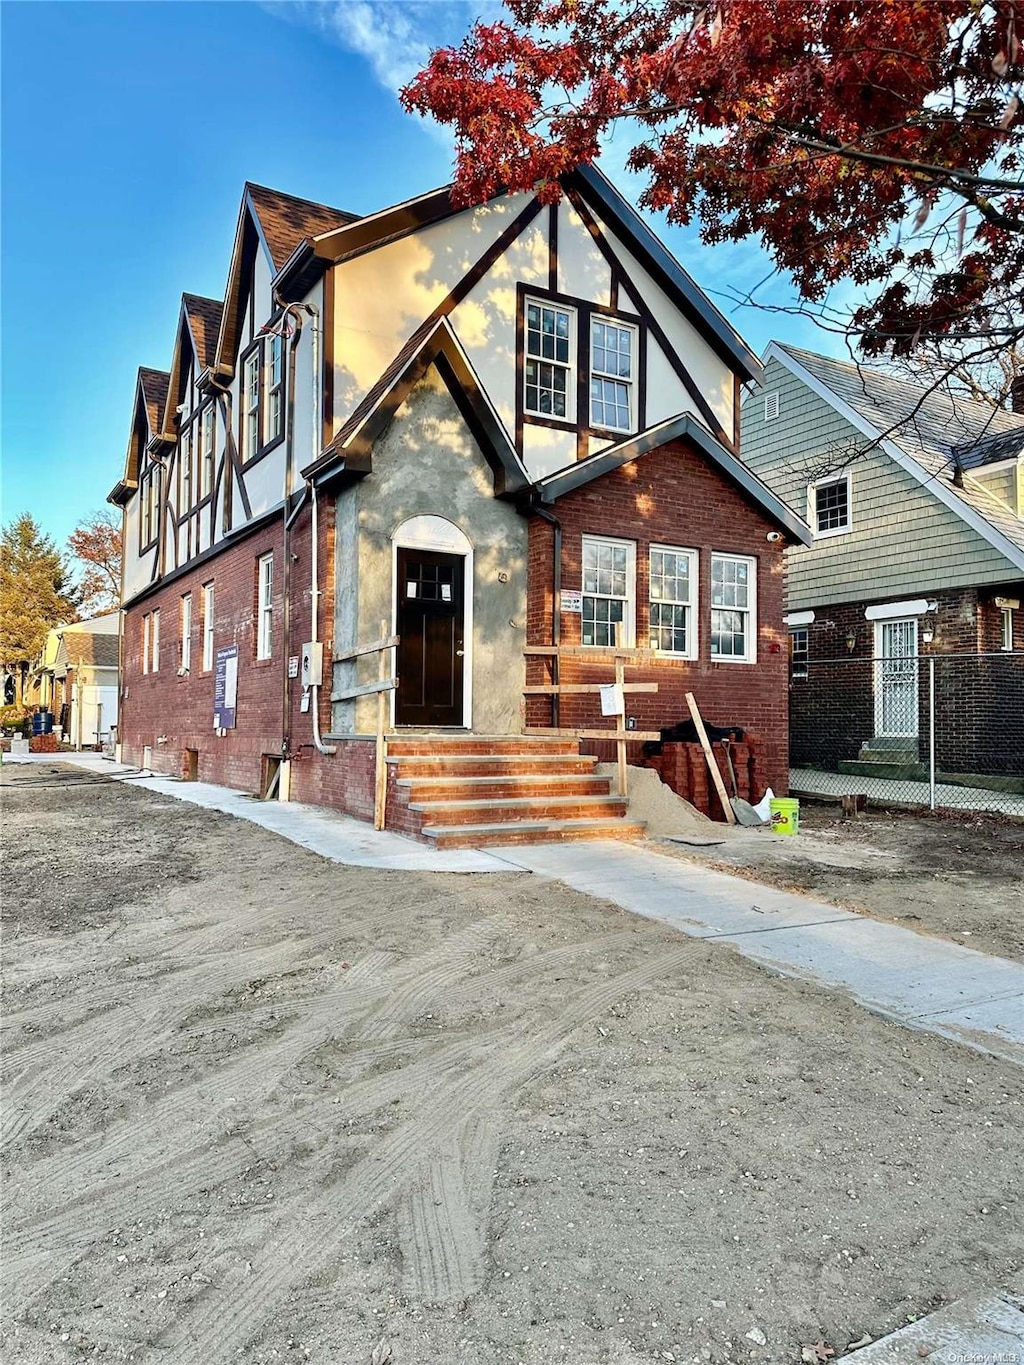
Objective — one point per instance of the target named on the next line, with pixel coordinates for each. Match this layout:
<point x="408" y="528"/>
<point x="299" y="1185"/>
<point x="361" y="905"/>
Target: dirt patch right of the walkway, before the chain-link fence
<point x="961" y="877"/>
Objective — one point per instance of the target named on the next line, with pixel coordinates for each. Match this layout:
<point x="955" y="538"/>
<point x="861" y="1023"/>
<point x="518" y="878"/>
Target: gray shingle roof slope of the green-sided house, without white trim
<point x="935" y="429"/>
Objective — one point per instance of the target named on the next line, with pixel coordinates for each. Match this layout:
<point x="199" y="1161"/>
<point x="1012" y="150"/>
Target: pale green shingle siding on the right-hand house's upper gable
<point x="903" y="544"/>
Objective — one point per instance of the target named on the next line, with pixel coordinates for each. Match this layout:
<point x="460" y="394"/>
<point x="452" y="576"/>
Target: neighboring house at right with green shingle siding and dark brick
<point x="917" y="506"/>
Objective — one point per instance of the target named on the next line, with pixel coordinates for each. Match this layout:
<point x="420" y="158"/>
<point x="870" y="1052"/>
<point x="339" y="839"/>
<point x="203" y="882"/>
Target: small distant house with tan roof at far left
<point x="77" y="679"/>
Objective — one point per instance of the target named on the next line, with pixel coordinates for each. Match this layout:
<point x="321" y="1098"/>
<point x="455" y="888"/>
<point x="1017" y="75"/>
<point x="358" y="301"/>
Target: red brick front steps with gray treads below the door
<point x="479" y="791"/>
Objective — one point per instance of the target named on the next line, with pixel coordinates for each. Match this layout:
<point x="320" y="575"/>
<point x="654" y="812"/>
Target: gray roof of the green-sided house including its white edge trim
<point x="924" y="432"/>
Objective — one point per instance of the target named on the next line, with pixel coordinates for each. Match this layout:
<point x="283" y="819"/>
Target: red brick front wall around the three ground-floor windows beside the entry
<point x="674" y="498"/>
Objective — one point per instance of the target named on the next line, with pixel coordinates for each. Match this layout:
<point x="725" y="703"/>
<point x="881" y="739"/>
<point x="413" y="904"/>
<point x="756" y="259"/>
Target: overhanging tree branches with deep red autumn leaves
<point x="876" y="141"/>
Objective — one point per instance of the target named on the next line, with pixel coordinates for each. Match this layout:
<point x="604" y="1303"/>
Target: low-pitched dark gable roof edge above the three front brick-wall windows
<point x="555" y="487"/>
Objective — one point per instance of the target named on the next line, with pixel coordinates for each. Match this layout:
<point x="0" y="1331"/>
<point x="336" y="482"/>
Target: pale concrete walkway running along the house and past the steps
<point x="914" y="978"/>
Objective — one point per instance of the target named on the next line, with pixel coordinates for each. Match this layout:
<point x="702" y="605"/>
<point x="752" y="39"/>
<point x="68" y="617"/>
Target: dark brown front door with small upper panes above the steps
<point x="431" y="650"/>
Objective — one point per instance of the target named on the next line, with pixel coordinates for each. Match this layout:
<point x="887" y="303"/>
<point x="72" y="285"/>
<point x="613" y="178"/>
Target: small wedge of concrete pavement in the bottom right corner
<point x="985" y="1330"/>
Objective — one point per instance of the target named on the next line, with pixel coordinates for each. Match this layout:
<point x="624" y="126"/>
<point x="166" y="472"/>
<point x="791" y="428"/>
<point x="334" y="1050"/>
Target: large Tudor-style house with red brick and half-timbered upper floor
<point x="488" y="429"/>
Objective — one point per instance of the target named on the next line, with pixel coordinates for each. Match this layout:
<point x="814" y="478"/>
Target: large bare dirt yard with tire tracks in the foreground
<point x="266" y="1109"/>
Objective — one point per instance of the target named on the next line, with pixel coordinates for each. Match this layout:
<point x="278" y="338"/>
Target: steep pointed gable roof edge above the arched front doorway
<point x="433" y="343"/>
